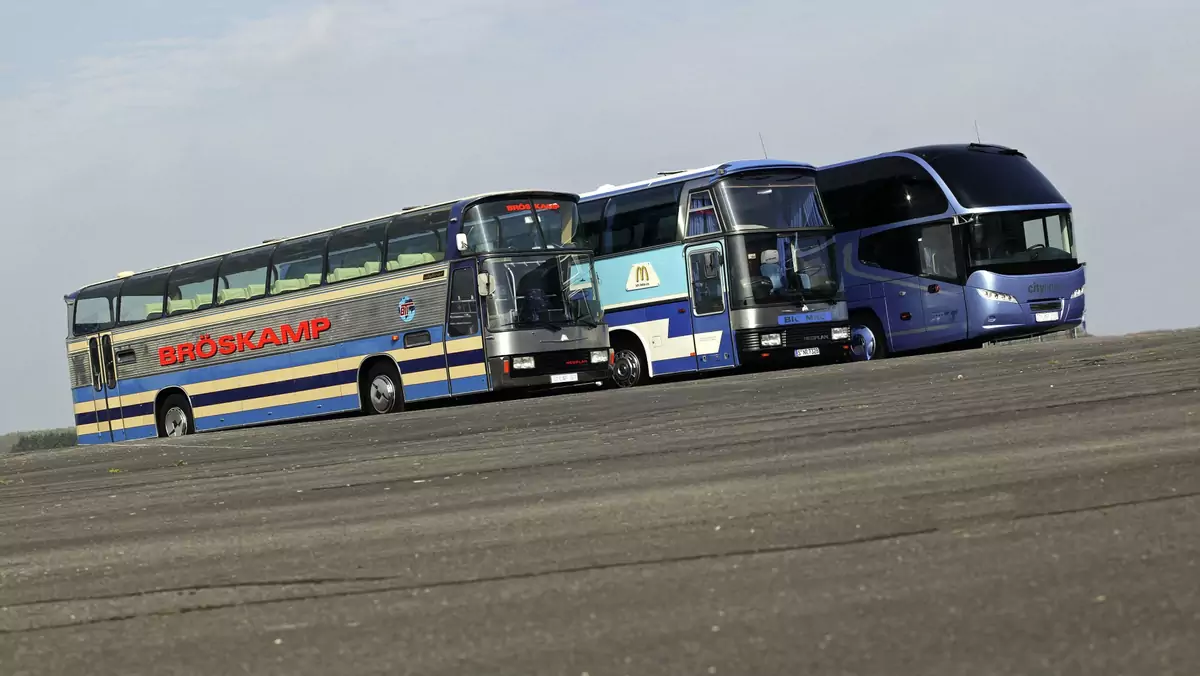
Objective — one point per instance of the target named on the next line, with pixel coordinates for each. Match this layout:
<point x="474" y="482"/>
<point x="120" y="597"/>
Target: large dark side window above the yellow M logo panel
<point x="641" y="219"/>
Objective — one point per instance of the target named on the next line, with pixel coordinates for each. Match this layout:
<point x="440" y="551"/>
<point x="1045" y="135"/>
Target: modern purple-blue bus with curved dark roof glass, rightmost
<point x="952" y="247"/>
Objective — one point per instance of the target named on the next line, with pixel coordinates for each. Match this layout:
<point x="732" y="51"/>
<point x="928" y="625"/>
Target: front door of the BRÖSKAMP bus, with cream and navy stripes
<point x="465" y="338"/>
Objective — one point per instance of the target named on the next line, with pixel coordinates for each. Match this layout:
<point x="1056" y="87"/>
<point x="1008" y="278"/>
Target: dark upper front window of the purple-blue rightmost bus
<point x="989" y="178"/>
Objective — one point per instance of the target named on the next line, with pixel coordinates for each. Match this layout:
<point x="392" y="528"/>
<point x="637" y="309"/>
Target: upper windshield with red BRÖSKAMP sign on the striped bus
<point x="519" y="225"/>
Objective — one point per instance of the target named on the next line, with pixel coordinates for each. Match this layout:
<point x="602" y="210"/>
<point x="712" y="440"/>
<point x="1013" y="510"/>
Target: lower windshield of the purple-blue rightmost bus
<point x="1001" y="242"/>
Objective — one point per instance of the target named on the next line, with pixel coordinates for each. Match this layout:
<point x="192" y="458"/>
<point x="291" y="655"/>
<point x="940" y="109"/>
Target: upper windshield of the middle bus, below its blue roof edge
<point x="773" y="202"/>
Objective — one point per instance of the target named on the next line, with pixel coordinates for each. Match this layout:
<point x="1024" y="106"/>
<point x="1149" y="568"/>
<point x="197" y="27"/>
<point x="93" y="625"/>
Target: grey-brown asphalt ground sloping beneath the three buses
<point x="1025" y="510"/>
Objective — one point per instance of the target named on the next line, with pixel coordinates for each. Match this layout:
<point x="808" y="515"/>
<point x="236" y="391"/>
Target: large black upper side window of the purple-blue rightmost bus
<point x="880" y="192"/>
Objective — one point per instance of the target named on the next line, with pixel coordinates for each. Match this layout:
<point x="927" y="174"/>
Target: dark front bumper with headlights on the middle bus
<point x="795" y="345"/>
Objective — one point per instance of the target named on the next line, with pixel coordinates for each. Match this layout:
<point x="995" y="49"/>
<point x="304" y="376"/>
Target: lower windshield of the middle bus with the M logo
<point x="783" y="268"/>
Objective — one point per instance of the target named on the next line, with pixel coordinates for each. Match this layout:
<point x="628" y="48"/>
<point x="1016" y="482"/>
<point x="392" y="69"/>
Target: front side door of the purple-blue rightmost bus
<point x="944" y="303"/>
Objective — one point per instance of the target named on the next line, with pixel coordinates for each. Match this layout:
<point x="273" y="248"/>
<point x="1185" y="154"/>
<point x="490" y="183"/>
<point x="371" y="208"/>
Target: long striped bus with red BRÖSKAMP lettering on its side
<point x="429" y="303"/>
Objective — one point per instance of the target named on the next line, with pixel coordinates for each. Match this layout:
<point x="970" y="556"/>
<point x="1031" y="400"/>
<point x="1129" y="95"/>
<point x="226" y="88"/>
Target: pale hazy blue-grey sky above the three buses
<point x="137" y="134"/>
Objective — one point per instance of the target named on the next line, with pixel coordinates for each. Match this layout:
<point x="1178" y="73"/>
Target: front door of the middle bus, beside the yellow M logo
<point x="709" y="290"/>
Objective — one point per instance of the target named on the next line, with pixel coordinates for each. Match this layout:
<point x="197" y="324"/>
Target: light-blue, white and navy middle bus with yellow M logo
<point x="715" y="268"/>
